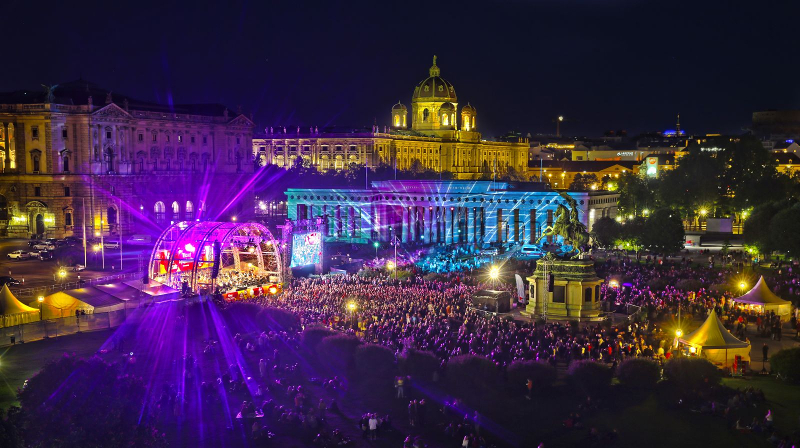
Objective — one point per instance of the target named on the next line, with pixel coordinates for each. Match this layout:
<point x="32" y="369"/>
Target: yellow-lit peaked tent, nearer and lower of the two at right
<point x="715" y="343"/>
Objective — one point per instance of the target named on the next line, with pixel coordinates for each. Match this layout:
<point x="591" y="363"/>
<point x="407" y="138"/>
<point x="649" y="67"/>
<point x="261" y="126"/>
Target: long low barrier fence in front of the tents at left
<point x="62" y="326"/>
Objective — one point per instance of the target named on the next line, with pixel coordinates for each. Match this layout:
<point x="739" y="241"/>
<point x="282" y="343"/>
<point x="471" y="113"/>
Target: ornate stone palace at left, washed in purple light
<point x="66" y="154"/>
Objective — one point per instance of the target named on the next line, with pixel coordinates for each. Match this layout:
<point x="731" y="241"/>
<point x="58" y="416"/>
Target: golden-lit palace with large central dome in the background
<point x="437" y="139"/>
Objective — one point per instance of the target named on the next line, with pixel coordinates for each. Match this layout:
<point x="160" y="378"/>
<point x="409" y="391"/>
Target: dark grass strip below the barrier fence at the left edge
<point x="22" y="361"/>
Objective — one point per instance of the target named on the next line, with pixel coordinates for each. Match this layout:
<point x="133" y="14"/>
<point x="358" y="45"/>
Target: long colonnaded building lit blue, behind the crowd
<point x="443" y="212"/>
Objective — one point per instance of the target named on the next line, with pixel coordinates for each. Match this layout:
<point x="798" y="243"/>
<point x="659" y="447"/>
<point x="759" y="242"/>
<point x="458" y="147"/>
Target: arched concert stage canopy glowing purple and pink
<point x="185" y="253"/>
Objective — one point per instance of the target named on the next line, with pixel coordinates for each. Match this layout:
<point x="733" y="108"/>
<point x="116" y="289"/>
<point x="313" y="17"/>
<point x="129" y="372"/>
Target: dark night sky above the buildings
<point x="603" y="64"/>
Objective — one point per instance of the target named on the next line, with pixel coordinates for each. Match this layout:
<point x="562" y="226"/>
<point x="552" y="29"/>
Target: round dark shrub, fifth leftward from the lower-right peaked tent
<point x="471" y="375"/>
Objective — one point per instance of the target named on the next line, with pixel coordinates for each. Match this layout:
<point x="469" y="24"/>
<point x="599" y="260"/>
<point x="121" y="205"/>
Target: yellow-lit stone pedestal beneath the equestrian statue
<point x="574" y="294"/>
